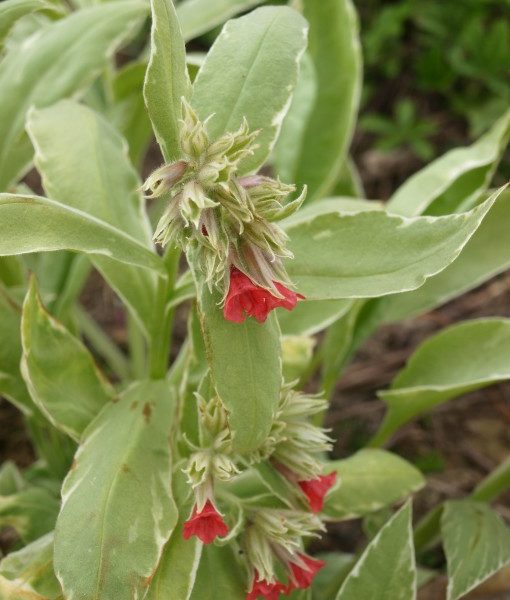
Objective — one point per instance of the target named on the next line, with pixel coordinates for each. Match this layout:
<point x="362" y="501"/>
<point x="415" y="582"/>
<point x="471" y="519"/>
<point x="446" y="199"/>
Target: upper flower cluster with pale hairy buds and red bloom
<point x="226" y="222"/>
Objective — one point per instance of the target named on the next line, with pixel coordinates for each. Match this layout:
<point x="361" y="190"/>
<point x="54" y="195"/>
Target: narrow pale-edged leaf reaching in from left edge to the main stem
<point x="37" y="224"/>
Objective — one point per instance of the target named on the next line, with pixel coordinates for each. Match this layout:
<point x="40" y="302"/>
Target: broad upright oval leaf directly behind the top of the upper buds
<point x="251" y="72"/>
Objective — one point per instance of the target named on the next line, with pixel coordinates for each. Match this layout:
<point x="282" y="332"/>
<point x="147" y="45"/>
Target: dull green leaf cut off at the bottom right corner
<point x="476" y="543"/>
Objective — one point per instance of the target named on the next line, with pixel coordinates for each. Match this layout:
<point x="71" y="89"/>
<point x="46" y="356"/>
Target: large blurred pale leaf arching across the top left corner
<point x="52" y="66"/>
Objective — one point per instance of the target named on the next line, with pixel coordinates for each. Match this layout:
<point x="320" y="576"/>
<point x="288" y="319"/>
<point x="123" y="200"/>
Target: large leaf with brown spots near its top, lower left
<point x="107" y="546"/>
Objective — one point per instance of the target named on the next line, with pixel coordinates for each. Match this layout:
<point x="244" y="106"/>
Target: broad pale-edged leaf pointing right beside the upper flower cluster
<point x="373" y="253"/>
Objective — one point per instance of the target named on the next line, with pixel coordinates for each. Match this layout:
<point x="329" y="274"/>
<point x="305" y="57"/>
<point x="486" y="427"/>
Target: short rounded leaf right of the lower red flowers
<point x="368" y="481"/>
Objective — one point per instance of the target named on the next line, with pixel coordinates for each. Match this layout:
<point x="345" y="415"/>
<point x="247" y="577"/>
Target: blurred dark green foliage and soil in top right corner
<point x="425" y="59"/>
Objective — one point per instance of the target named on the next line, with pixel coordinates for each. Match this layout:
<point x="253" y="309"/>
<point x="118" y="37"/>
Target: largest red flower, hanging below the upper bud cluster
<point x="244" y="299"/>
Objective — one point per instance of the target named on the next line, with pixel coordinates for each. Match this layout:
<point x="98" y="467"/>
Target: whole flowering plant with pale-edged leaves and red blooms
<point x="198" y="468"/>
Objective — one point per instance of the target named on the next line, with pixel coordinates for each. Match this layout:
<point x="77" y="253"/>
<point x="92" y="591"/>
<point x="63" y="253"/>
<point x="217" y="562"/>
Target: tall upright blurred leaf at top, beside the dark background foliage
<point x="335" y="49"/>
